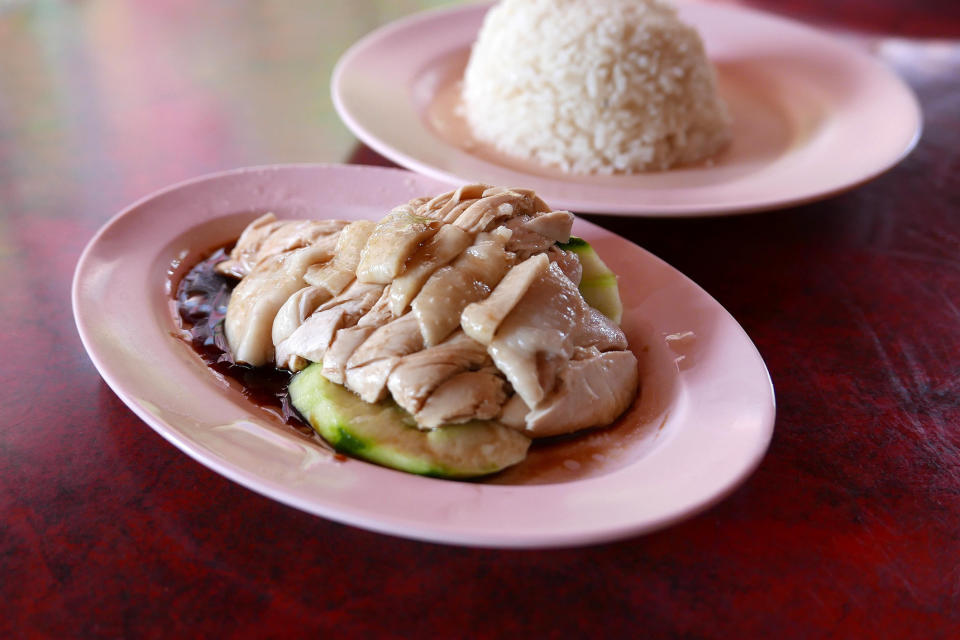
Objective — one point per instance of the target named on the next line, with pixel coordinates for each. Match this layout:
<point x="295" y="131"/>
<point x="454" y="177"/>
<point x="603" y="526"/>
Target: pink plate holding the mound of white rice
<point x="813" y="116"/>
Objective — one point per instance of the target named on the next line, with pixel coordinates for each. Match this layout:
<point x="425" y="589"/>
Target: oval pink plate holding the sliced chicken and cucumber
<point x="702" y="423"/>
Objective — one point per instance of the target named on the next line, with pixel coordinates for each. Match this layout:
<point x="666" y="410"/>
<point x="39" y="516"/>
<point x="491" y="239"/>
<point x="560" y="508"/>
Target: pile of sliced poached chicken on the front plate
<point x="459" y="307"/>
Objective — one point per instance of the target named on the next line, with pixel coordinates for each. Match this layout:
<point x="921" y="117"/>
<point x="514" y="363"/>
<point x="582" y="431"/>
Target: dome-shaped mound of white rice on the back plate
<point x="593" y="86"/>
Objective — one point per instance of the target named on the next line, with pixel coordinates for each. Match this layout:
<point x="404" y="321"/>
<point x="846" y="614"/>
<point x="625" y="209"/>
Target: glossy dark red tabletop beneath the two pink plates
<point x="850" y="527"/>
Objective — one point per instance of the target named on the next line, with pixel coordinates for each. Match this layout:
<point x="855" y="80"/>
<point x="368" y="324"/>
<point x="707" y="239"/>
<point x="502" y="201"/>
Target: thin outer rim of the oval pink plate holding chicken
<point x="398" y="527"/>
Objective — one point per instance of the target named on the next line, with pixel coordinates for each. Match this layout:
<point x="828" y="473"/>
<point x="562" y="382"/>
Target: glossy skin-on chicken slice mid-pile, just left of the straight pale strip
<point x="469" y="278"/>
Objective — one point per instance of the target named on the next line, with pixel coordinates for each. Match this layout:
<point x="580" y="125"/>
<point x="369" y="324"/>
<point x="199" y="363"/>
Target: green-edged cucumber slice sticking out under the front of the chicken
<point x="386" y="434"/>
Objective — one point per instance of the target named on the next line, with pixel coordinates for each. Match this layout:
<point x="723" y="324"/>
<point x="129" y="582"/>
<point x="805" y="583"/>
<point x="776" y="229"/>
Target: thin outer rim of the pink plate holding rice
<point x="682" y="210"/>
